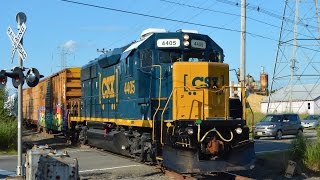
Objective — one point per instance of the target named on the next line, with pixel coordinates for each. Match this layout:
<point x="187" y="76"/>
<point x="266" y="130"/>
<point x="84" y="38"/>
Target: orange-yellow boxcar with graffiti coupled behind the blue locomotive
<point x="45" y="105"/>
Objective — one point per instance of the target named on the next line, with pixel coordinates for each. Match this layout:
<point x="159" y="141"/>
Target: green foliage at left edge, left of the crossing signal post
<point x="8" y="125"/>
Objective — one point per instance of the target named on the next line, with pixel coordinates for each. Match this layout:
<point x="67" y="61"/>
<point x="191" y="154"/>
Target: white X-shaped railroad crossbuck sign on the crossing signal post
<point x="16" y="41"/>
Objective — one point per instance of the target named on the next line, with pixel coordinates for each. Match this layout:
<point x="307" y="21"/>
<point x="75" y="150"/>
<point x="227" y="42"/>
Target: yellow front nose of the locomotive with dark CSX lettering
<point x="200" y="90"/>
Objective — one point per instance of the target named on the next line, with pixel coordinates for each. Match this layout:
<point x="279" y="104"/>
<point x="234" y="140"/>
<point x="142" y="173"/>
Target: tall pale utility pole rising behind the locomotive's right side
<point x="243" y="54"/>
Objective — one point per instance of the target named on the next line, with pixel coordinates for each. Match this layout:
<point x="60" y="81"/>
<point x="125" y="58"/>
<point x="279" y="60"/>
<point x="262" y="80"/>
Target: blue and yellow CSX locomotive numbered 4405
<point x="164" y="96"/>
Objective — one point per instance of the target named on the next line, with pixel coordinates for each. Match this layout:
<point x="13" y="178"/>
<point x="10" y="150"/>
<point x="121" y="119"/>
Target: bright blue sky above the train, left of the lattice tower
<point x="59" y="30"/>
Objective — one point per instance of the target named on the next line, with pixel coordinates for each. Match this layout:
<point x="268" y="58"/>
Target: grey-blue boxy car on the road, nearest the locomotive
<point x="277" y="125"/>
